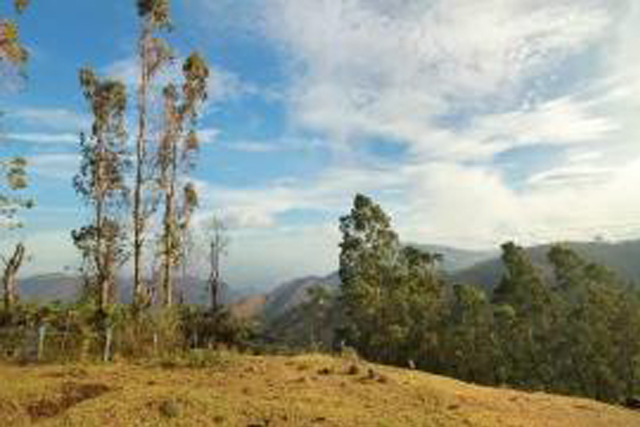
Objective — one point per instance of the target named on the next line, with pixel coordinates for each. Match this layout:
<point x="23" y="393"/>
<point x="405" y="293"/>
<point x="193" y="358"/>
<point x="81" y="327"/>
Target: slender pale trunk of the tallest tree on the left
<point x="138" y="210"/>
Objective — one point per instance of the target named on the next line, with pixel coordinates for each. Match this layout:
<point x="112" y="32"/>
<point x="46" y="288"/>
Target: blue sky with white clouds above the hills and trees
<point x="471" y="123"/>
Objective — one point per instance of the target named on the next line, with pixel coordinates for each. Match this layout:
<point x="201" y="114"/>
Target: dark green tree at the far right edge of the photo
<point x="599" y="339"/>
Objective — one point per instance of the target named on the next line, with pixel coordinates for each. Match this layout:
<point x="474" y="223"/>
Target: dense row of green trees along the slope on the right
<point x="577" y="332"/>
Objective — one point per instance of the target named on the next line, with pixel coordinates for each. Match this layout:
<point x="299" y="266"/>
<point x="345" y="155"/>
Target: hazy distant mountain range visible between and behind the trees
<point x="482" y="268"/>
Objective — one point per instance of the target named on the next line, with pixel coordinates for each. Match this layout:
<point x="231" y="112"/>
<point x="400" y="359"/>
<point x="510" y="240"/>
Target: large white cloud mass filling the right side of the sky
<point x="459" y="83"/>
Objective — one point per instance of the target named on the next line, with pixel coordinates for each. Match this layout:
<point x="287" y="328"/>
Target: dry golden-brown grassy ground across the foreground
<point x="277" y="391"/>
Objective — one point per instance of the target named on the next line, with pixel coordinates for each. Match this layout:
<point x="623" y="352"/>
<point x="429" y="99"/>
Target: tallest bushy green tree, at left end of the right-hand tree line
<point x="392" y="295"/>
